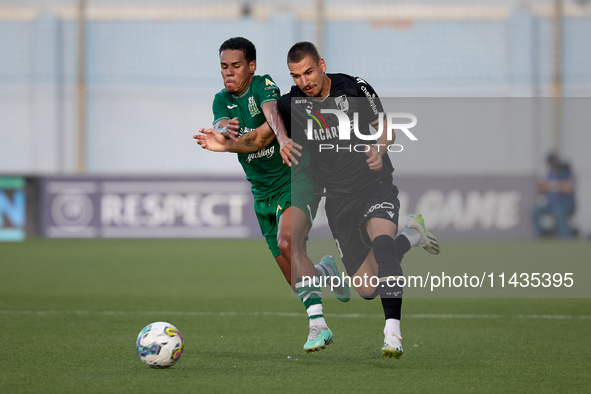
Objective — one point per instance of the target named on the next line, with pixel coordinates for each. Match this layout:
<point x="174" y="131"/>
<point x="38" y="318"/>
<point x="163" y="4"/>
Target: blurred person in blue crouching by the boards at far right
<point x="559" y="193"/>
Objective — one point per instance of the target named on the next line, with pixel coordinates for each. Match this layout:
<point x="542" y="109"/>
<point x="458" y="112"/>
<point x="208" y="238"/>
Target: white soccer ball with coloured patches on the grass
<point x="159" y="345"/>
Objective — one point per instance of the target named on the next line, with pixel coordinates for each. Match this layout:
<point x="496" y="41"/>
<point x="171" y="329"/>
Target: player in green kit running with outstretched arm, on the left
<point x="246" y="121"/>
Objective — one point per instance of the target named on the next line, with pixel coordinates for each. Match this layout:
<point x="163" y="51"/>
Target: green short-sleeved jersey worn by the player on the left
<point x="264" y="169"/>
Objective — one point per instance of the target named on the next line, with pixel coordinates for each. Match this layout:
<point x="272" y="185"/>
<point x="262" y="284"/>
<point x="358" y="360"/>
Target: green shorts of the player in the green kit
<point x="269" y="211"/>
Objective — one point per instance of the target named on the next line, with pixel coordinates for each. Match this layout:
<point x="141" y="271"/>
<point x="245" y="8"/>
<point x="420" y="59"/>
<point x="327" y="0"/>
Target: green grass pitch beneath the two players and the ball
<point x="59" y="333"/>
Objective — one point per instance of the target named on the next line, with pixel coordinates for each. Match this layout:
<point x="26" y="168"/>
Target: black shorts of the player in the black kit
<point x="348" y="215"/>
